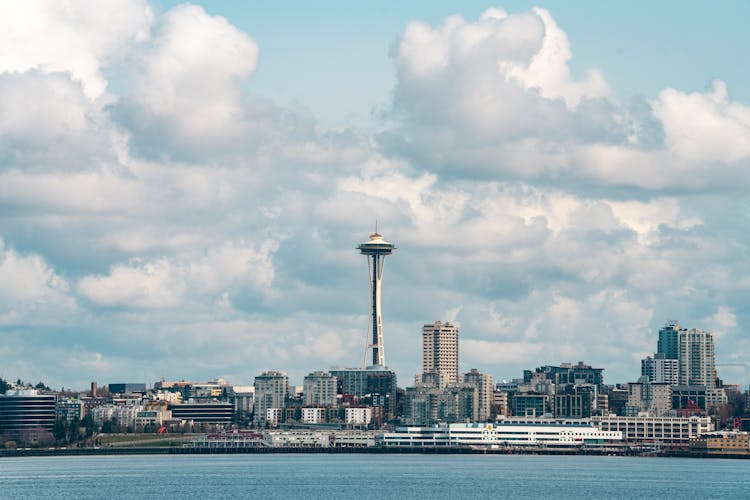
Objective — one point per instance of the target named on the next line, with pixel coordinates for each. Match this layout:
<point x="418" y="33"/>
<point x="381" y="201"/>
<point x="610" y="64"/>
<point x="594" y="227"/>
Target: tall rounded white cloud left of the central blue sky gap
<point x="188" y="85"/>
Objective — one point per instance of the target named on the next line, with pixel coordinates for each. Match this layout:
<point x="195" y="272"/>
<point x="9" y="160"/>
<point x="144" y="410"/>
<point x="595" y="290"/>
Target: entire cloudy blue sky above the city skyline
<point x="182" y="186"/>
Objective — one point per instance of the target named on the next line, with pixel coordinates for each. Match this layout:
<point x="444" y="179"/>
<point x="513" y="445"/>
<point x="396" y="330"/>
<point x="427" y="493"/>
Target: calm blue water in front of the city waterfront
<point x="371" y="476"/>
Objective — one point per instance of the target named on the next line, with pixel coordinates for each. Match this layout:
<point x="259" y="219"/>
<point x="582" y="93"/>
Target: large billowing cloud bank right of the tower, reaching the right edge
<point x="496" y="98"/>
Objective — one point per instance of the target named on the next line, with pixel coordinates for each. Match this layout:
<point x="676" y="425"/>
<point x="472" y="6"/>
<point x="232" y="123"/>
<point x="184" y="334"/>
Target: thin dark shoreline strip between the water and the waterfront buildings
<point x="54" y="452"/>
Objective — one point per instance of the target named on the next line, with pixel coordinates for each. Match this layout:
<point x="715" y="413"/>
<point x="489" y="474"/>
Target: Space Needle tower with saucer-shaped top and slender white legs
<point x="376" y="250"/>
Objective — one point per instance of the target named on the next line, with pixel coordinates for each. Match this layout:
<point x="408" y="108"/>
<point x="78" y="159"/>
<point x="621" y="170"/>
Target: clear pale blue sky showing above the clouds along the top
<point x="642" y="47"/>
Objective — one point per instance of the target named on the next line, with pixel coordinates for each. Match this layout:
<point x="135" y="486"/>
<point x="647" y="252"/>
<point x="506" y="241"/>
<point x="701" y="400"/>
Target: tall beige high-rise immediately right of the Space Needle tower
<point x="440" y="351"/>
